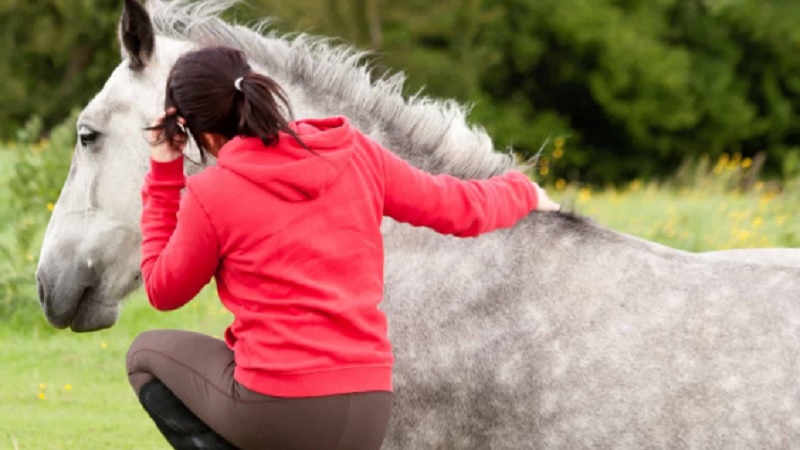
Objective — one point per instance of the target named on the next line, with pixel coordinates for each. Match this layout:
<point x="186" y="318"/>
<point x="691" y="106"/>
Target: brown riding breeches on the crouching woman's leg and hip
<point x="198" y="369"/>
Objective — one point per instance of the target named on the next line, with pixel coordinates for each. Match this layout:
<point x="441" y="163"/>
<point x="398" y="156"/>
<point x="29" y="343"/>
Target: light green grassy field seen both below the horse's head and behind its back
<point x="66" y="391"/>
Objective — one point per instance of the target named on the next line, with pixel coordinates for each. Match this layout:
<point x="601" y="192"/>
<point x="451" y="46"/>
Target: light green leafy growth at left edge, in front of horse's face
<point x="38" y="172"/>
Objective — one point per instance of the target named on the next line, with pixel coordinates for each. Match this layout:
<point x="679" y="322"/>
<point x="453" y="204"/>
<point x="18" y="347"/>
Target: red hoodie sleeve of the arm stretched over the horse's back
<point x="449" y="205"/>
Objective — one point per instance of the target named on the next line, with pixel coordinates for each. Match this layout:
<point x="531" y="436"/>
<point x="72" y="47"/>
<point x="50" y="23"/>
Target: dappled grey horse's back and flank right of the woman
<point x="660" y="349"/>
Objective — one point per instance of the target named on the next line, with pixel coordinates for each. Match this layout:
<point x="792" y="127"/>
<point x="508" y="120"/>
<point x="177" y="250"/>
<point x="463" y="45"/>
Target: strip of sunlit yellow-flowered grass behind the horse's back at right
<point x="696" y="220"/>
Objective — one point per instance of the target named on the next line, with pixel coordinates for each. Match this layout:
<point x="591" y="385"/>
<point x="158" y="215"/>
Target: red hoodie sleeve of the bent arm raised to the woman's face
<point x="180" y="248"/>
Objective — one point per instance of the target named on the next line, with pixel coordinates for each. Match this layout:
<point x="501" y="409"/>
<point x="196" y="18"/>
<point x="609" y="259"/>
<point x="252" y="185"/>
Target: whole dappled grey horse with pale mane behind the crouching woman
<point x="555" y="334"/>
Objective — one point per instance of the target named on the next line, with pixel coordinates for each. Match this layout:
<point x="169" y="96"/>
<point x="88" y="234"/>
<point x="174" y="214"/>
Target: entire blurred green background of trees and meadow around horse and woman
<point x="673" y="120"/>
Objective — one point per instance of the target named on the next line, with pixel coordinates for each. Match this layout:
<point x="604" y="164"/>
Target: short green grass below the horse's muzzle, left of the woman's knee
<point x="62" y="390"/>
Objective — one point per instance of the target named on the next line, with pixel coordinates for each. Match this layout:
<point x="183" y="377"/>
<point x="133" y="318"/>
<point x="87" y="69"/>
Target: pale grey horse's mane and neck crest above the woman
<point x="431" y="134"/>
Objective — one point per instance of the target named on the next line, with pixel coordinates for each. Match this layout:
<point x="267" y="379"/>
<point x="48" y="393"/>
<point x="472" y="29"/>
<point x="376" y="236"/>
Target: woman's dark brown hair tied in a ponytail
<point x="217" y="92"/>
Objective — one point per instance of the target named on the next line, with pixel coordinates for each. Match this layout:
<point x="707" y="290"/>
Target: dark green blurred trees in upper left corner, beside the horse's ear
<point x="56" y="56"/>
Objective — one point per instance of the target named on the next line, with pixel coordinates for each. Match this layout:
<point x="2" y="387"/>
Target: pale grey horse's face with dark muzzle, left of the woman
<point x="90" y="255"/>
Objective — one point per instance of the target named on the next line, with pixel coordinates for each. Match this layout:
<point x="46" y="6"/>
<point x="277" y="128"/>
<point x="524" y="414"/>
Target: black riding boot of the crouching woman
<point x="182" y="429"/>
